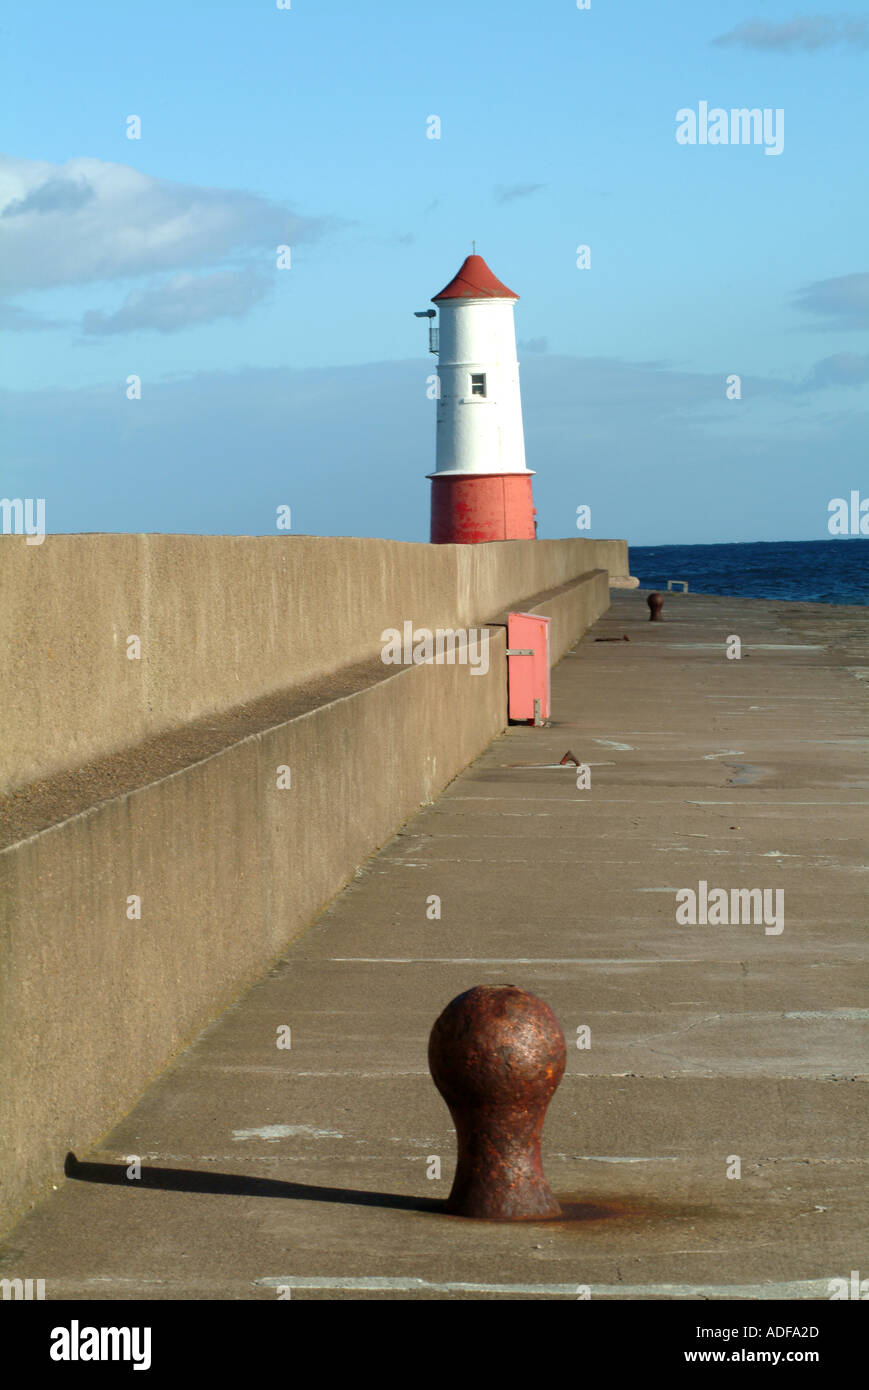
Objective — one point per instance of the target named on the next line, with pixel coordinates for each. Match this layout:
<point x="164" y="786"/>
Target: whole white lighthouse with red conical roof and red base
<point x="482" y="487"/>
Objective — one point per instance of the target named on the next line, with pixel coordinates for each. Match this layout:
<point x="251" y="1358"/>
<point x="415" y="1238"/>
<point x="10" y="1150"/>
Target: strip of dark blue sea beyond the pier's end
<point x="811" y="572"/>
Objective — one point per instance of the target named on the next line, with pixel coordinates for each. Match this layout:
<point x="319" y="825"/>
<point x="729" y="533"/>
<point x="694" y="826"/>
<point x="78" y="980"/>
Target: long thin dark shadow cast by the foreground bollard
<point x="238" y="1185"/>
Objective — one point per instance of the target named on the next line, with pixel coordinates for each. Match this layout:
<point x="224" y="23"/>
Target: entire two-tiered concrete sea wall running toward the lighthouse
<point x="159" y="850"/>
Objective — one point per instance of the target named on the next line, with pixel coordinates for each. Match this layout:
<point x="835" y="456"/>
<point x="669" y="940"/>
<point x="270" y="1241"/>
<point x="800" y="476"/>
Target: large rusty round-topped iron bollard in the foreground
<point x="497" y="1056"/>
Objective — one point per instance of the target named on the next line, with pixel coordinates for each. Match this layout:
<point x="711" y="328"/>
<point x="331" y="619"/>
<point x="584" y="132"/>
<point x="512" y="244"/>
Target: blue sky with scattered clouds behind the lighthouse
<point x="307" y="387"/>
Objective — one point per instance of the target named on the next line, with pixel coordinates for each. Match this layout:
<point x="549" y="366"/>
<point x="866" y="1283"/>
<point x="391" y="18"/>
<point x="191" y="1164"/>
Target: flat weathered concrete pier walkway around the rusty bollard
<point x="307" y="1168"/>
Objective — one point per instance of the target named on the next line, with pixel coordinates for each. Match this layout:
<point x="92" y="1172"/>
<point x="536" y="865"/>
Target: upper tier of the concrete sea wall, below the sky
<point x="223" y="621"/>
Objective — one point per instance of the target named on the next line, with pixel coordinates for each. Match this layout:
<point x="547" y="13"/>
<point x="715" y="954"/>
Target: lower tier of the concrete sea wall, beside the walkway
<point x="229" y="867"/>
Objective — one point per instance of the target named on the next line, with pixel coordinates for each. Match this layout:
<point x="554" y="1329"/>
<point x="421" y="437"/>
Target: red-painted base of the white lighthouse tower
<point x="482" y="507"/>
